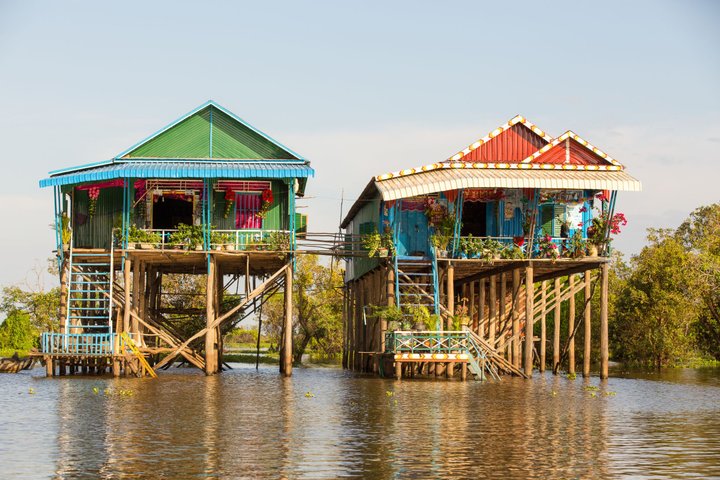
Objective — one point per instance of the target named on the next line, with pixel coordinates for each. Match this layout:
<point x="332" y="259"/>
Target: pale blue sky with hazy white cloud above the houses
<point x="359" y="89"/>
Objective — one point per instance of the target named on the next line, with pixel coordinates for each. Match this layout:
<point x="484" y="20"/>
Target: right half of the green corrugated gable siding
<point x="231" y="139"/>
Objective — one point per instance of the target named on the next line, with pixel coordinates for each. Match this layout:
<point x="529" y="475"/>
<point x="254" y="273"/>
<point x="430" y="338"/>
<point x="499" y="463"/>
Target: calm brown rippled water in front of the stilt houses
<point x="326" y="423"/>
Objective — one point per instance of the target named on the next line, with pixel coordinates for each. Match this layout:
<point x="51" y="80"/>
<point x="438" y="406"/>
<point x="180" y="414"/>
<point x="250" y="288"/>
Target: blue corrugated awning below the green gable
<point x="184" y="169"/>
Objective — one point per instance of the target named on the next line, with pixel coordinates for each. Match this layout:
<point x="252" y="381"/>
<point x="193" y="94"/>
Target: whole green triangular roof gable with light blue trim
<point x="209" y="132"/>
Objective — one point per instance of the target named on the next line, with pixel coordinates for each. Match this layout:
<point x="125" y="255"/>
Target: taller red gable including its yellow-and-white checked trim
<point x="509" y="143"/>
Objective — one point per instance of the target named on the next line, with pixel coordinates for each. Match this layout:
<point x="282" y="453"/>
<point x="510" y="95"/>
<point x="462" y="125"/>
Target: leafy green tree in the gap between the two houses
<point x="317" y="309"/>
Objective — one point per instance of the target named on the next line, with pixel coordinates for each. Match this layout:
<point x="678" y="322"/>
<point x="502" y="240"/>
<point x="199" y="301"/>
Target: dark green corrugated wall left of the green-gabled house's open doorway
<point x="96" y="232"/>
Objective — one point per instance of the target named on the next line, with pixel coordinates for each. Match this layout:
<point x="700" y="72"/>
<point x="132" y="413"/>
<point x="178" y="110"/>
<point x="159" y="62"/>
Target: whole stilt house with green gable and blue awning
<point x="208" y="195"/>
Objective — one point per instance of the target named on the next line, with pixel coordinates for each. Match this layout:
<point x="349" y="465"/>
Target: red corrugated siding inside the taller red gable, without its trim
<point x="512" y="145"/>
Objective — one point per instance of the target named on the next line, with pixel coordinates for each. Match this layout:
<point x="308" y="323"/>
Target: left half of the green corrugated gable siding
<point x="188" y="139"/>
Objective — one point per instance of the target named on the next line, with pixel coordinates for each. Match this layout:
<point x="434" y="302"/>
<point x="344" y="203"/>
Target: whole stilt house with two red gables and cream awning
<point x="466" y="256"/>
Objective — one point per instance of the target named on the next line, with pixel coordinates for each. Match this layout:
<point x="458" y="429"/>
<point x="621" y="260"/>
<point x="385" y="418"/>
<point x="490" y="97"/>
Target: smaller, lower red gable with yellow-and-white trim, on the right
<point x="571" y="149"/>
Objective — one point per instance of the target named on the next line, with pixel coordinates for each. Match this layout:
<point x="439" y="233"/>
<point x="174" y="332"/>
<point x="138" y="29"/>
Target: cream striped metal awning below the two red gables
<point x="453" y="179"/>
